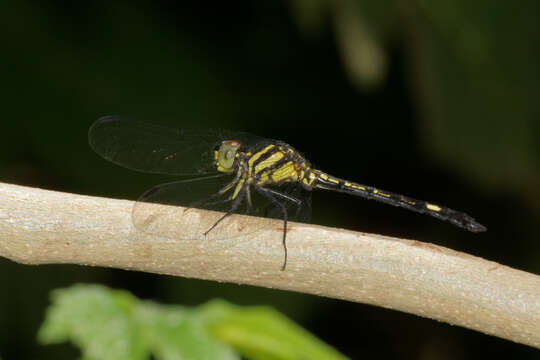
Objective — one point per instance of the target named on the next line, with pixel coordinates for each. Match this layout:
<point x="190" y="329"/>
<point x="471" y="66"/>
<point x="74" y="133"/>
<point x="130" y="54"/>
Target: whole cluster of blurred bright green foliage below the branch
<point x="112" y="324"/>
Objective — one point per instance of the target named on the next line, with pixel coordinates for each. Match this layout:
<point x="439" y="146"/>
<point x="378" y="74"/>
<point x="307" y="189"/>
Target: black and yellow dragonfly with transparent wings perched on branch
<point x="233" y="174"/>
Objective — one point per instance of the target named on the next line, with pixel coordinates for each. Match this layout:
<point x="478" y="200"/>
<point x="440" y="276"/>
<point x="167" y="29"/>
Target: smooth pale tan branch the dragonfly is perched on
<point x="40" y="227"/>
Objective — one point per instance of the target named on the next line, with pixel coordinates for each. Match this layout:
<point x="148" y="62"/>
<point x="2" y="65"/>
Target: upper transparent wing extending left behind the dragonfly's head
<point x="160" y="149"/>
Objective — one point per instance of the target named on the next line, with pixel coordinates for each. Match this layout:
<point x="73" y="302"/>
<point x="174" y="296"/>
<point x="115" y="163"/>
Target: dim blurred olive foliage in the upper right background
<point x="471" y="67"/>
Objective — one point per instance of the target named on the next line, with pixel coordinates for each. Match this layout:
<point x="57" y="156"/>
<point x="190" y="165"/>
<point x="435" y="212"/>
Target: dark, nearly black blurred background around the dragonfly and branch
<point x="439" y="102"/>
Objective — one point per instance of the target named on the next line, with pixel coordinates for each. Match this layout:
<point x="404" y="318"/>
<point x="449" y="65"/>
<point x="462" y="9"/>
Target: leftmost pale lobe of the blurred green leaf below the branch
<point x="98" y="321"/>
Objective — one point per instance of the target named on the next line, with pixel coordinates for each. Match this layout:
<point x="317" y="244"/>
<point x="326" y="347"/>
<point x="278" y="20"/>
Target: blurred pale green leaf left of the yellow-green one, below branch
<point x="110" y="324"/>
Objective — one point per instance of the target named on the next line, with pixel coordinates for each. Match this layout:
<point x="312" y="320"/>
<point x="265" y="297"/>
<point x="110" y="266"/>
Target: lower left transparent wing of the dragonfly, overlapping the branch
<point x="172" y="210"/>
